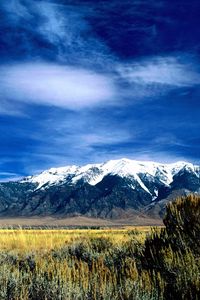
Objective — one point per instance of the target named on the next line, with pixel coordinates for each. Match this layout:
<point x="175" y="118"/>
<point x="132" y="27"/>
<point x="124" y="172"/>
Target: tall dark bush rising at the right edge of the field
<point x="173" y="252"/>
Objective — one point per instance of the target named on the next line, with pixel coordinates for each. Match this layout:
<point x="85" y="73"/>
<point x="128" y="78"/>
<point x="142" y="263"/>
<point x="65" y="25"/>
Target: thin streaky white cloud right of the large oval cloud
<point x="161" y="71"/>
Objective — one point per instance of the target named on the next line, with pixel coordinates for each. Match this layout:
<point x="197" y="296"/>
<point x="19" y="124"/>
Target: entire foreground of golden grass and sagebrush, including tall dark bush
<point x="128" y="263"/>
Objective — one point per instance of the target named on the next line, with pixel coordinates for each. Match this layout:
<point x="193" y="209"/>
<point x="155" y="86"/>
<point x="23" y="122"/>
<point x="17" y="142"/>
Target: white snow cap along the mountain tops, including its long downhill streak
<point x="94" y="173"/>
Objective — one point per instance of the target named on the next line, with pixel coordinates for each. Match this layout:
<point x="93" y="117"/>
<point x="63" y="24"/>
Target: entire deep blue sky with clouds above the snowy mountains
<point x="88" y="81"/>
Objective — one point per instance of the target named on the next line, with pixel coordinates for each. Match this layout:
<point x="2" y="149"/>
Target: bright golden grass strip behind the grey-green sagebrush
<point x="47" y="239"/>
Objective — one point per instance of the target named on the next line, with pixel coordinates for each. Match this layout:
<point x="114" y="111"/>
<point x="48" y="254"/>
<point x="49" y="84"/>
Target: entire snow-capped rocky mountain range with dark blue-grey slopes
<point x="110" y="190"/>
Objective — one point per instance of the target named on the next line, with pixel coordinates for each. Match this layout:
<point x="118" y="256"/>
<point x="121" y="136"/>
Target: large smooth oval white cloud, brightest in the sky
<point x="56" y="85"/>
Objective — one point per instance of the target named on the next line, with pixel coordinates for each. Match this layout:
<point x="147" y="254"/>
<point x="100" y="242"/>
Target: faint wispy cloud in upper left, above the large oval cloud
<point x="55" y="31"/>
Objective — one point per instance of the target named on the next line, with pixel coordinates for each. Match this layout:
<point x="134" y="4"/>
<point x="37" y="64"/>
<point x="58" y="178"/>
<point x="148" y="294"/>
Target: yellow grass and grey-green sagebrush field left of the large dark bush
<point x="68" y="264"/>
